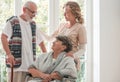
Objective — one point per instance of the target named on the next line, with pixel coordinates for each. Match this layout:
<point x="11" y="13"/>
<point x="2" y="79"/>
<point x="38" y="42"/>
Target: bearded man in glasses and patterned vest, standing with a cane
<point x="19" y="38"/>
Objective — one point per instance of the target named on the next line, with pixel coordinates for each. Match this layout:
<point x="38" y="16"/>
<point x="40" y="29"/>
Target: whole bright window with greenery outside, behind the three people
<point x="48" y="17"/>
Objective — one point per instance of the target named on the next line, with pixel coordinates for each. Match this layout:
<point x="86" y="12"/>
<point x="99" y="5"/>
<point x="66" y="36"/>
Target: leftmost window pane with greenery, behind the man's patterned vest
<point x="5" y="6"/>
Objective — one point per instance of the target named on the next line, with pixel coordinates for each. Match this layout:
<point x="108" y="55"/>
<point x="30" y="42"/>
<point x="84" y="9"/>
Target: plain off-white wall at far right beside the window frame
<point x="109" y="41"/>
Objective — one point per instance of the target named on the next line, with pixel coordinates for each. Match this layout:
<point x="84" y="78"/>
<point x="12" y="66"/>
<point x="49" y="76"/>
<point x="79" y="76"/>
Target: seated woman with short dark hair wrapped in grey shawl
<point x="55" y="66"/>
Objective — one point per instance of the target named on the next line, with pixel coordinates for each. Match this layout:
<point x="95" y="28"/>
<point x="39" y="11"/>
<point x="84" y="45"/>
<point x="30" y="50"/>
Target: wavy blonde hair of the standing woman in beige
<point x="76" y="11"/>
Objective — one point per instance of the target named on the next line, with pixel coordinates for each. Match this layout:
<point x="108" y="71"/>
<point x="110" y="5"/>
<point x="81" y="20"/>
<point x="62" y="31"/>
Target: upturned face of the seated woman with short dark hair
<point x="57" y="46"/>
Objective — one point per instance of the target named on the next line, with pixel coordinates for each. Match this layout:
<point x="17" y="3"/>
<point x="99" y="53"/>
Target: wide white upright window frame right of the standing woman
<point x="93" y="45"/>
